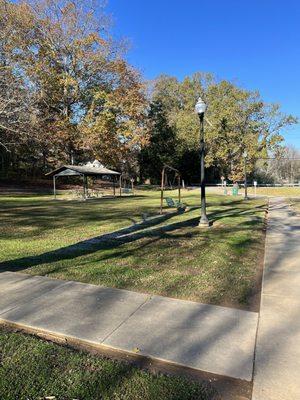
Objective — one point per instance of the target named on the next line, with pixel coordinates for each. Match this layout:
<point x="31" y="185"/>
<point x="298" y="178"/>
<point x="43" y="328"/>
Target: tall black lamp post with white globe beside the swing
<point x="200" y="109"/>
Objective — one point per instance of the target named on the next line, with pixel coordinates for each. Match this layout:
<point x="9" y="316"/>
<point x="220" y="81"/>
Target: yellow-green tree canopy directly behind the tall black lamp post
<point x="237" y="120"/>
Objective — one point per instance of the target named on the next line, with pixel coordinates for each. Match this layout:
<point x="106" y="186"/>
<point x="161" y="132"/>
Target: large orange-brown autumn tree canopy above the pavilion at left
<point x="70" y="91"/>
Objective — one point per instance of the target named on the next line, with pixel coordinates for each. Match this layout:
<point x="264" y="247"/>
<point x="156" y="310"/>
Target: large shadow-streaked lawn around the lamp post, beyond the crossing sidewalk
<point x="172" y="258"/>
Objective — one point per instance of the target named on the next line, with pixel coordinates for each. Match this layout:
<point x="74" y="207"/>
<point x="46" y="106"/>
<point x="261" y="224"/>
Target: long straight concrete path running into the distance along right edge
<point x="277" y="364"/>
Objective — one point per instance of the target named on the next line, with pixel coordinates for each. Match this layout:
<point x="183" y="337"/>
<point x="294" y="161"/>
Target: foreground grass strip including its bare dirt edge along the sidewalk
<point x="170" y="382"/>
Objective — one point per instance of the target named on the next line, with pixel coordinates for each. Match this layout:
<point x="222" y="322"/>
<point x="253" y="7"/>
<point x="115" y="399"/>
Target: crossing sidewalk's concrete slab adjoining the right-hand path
<point x="214" y="339"/>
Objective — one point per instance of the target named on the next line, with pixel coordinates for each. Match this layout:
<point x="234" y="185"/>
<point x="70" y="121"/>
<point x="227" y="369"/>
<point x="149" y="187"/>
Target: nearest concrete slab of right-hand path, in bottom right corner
<point x="277" y="363"/>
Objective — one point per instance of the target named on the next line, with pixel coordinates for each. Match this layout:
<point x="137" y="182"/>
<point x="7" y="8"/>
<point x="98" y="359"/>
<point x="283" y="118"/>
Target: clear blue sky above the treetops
<point x="255" y="43"/>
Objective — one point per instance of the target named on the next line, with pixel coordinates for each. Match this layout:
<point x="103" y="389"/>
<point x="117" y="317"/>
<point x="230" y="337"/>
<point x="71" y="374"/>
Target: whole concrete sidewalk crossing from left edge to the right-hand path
<point x="214" y="339"/>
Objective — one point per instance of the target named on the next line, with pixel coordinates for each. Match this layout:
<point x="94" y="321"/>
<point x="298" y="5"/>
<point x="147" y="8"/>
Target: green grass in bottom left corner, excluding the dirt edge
<point x="31" y="368"/>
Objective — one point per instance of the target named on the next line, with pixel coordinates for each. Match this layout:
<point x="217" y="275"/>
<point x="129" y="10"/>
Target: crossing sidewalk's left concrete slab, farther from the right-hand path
<point x="87" y="312"/>
